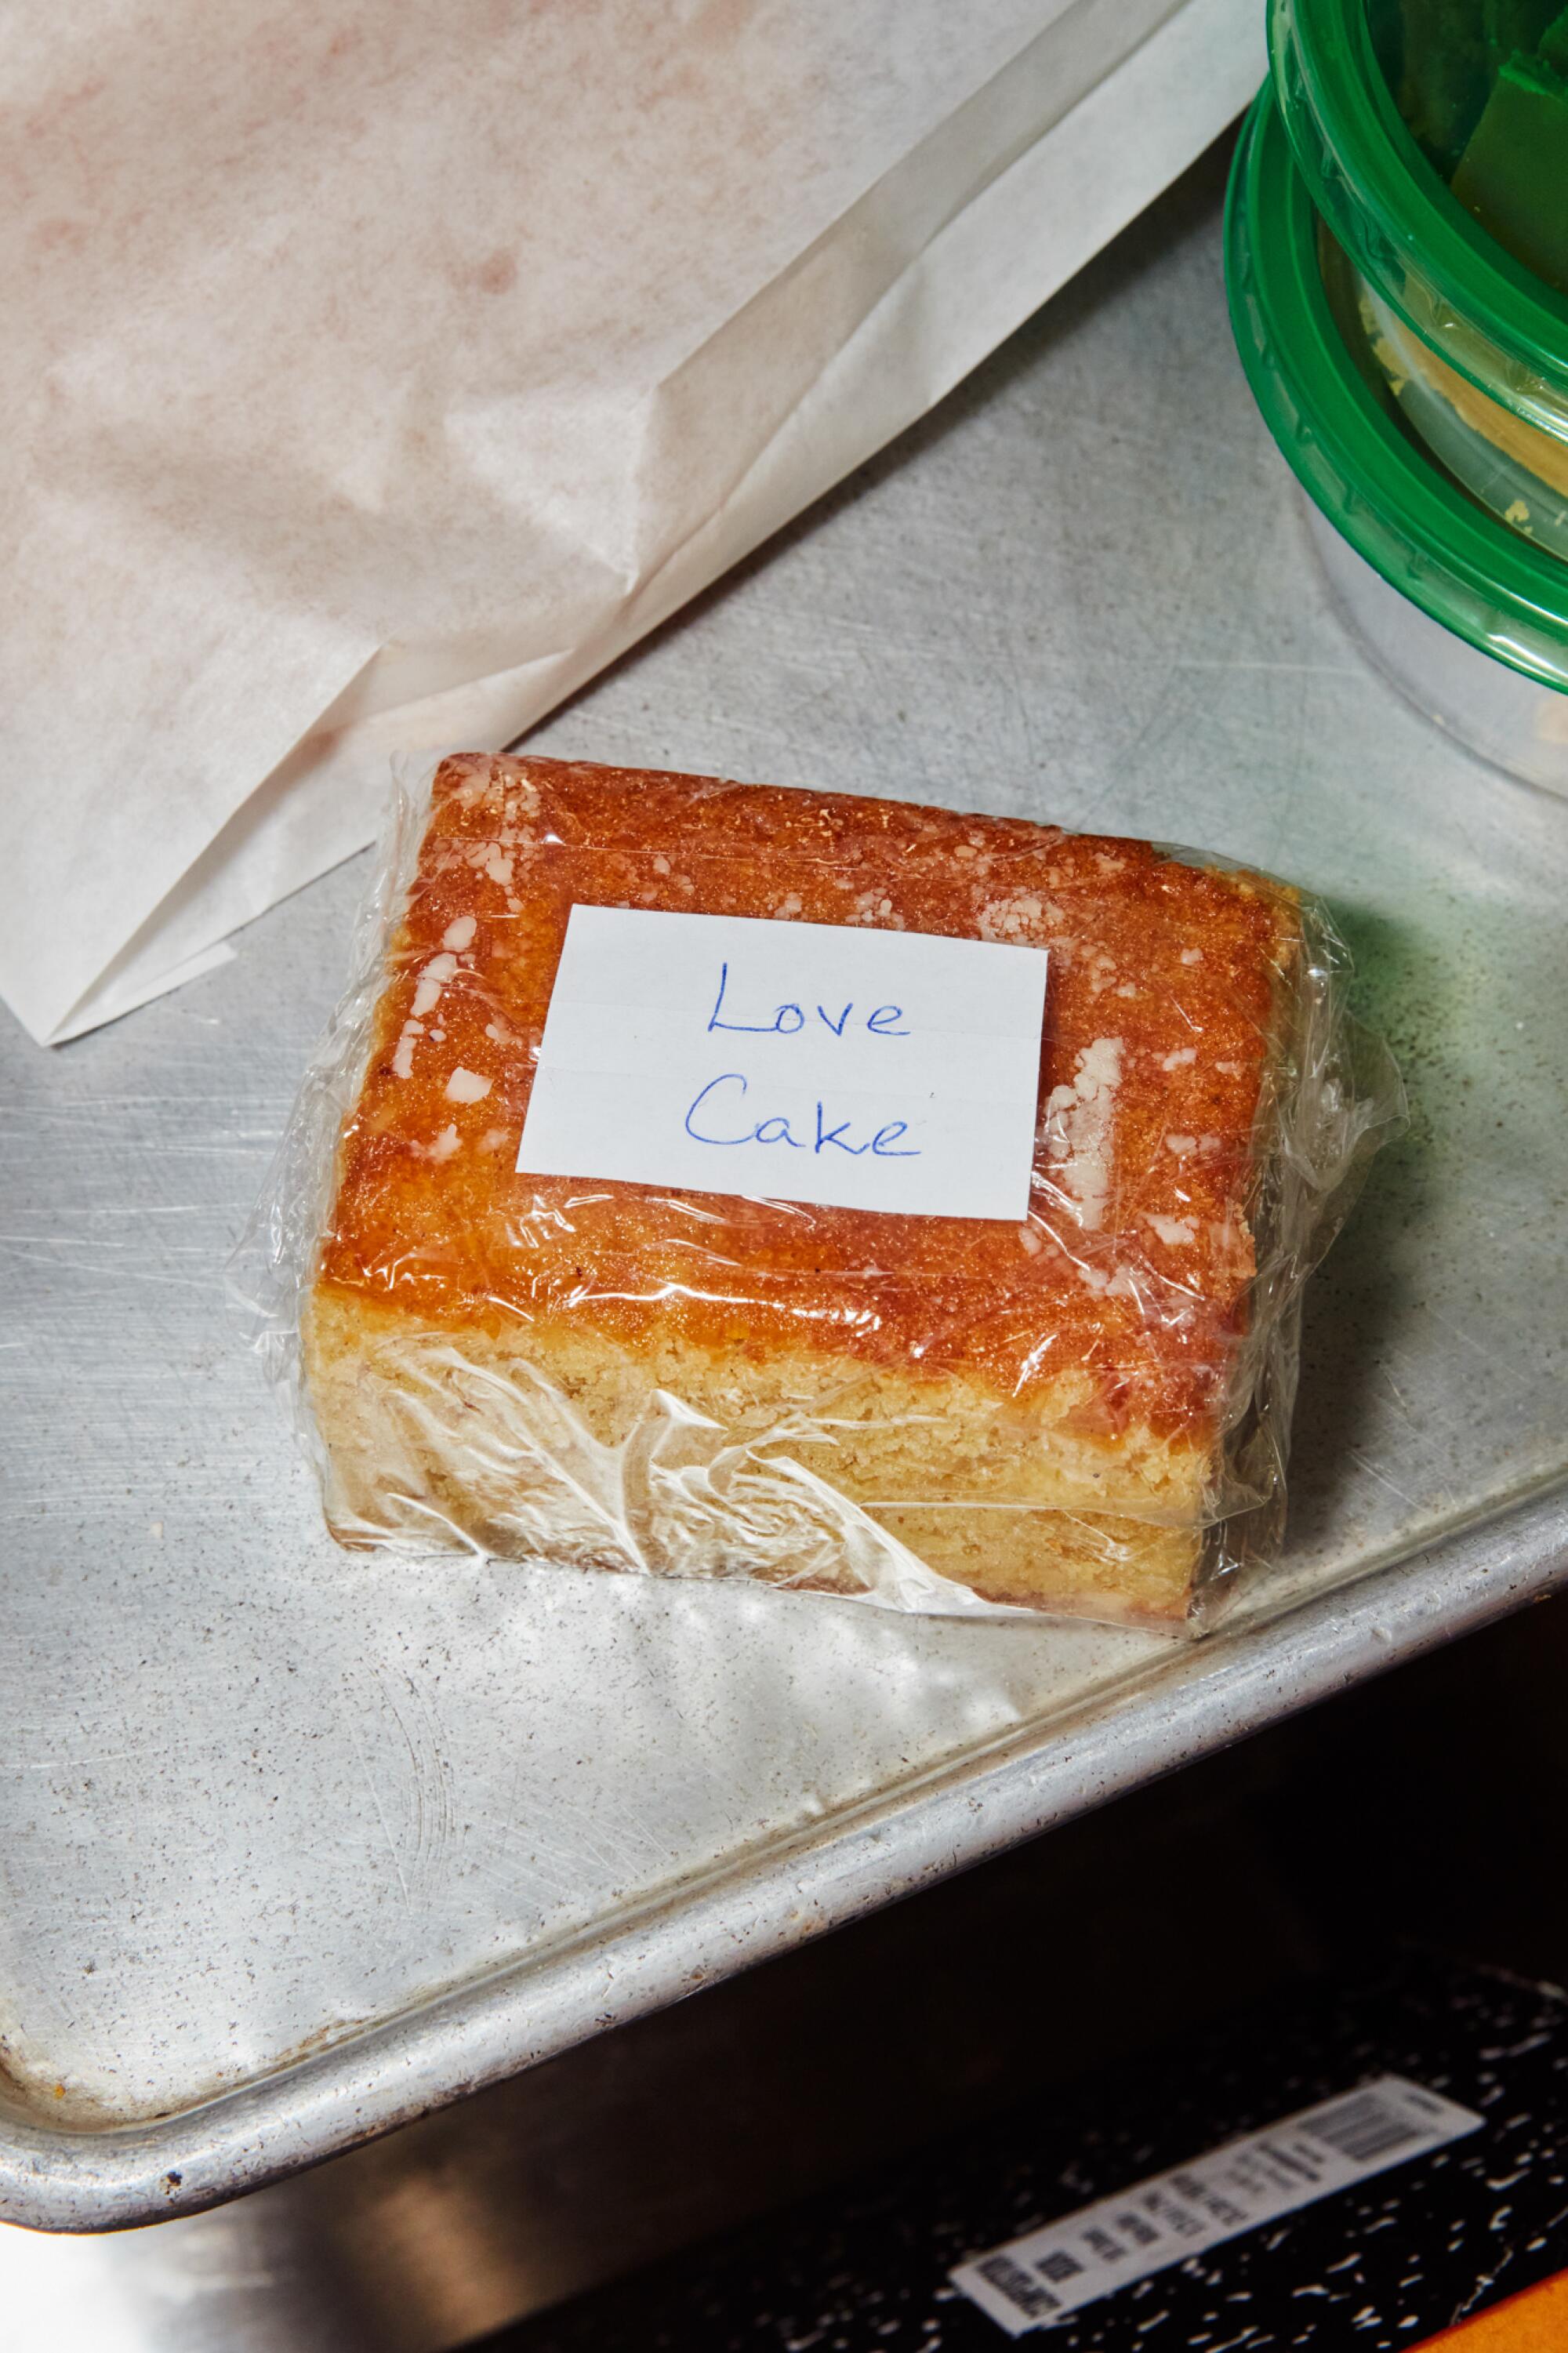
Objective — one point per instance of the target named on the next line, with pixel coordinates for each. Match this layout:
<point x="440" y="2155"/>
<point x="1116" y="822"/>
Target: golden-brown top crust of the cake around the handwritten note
<point x="1162" y="1020"/>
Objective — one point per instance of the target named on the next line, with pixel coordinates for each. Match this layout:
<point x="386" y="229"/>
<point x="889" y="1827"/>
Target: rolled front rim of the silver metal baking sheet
<point x="731" y="1917"/>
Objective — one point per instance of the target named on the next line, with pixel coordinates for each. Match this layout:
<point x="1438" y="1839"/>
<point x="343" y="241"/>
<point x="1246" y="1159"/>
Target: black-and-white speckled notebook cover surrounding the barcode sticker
<point x="1411" y="2251"/>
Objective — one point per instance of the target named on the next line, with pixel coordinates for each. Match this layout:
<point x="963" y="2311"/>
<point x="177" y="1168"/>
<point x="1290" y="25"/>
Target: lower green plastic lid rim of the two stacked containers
<point x="1334" y="420"/>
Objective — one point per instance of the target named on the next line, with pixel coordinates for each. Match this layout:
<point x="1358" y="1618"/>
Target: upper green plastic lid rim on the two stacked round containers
<point x="1477" y="305"/>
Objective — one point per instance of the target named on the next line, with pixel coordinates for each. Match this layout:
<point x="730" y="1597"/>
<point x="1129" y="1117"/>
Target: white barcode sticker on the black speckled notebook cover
<point x="1039" y="2279"/>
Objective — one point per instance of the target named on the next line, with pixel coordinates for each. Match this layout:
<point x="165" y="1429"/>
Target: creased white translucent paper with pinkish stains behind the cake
<point x="378" y="375"/>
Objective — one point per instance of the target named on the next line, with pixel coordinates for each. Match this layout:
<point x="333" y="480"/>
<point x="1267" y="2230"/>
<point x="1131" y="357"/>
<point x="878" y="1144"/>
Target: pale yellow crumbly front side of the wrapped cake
<point x="453" y="1441"/>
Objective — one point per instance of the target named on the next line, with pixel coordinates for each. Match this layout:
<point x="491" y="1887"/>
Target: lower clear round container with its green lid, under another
<point x="1463" y="613"/>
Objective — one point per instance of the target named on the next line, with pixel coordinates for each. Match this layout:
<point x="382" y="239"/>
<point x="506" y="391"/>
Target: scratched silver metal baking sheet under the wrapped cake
<point x="298" y="1846"/>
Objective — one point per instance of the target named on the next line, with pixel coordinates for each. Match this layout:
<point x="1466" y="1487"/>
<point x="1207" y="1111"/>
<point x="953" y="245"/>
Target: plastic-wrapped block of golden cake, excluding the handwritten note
<point x="1087" y="1411"/>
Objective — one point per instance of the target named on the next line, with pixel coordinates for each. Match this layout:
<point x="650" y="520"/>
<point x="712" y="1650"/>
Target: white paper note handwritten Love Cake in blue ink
<point x="792" y="1062"/>
